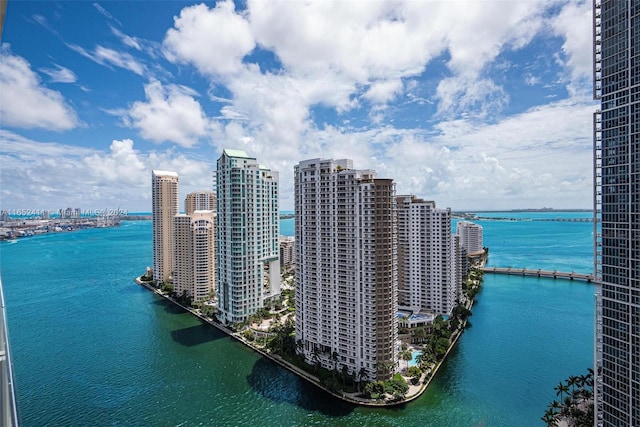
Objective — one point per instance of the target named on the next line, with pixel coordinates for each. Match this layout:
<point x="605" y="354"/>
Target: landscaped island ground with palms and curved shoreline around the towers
<point x="271" y="333"/>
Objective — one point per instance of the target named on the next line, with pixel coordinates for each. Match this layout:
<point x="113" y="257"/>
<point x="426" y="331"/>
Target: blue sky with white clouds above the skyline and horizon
<point x="478" y="105"/>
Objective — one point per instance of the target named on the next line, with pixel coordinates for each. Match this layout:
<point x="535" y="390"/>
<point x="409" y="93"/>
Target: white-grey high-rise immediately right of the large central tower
<point x="427" y="279"/>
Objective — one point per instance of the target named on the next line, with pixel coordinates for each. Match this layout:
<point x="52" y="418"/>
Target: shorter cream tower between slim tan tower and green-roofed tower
<point x="194" y="252"/>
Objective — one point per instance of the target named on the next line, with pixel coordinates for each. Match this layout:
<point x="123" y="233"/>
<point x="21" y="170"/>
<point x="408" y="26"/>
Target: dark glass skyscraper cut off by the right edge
<point x="617" y="211"/>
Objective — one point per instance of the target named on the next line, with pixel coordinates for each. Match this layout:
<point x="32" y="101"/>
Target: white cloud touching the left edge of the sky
<point x="25" y="103"/>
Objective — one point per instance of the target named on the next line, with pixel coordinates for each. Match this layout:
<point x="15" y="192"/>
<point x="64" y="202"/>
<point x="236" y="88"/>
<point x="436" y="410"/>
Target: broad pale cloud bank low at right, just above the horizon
<point x="535" y="157"/>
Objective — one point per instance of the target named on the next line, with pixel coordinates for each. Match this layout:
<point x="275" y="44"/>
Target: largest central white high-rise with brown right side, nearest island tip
<point x="346" y="268"/>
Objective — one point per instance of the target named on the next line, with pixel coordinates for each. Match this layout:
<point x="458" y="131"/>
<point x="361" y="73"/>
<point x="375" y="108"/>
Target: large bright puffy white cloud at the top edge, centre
<point x="362" y="41"/>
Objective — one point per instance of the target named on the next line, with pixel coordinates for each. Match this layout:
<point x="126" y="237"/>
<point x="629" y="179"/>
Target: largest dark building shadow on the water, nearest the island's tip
<point x="281" y="386"/>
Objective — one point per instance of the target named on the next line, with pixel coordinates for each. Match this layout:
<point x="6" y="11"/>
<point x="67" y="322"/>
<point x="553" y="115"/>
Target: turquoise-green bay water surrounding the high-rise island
<point x="90" y="347"/>
